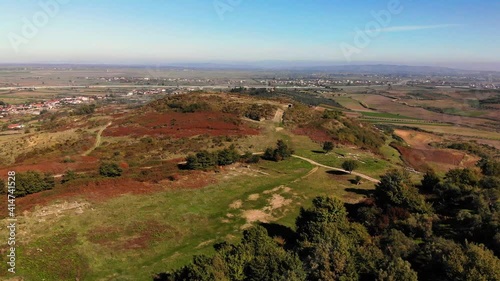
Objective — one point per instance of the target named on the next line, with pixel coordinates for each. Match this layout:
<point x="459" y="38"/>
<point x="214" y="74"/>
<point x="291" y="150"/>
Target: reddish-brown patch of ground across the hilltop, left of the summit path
<point x="180" y="125"/>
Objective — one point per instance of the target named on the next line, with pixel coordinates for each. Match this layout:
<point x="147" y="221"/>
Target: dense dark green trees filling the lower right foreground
<point x="441" y="229"/>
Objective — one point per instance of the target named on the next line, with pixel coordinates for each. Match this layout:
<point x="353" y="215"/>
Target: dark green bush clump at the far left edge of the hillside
<point x="29" y="183"/>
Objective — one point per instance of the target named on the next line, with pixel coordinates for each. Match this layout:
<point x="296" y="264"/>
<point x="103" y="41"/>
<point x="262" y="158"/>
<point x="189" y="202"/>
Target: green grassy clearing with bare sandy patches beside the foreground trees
<point x="164" y="230"/>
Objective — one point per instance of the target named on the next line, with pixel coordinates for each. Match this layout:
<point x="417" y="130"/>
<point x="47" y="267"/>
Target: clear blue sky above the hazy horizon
<point x="455" y="33"/>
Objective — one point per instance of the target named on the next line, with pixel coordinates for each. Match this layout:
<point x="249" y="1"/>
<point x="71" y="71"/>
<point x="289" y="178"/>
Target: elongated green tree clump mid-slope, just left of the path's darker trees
<point x="204" y="160"/>
